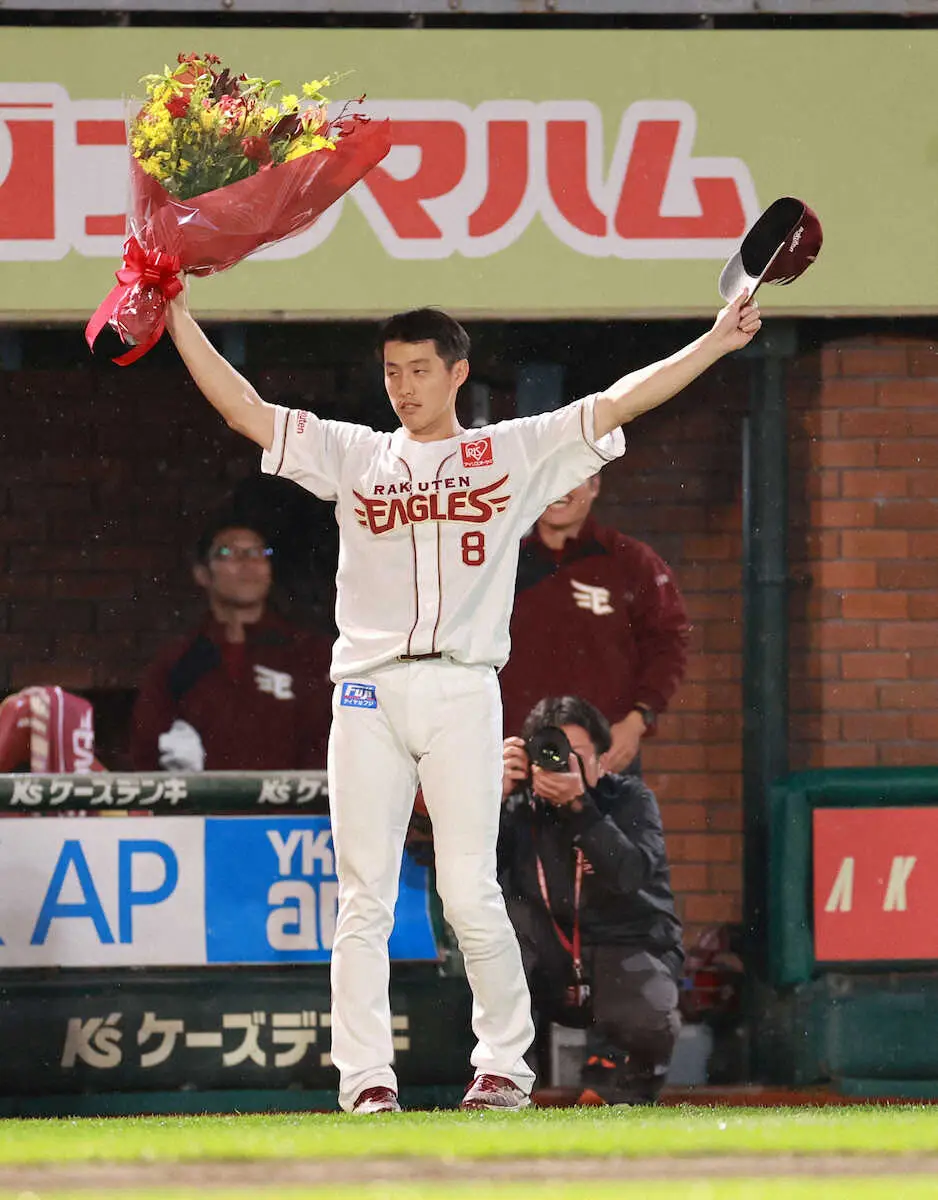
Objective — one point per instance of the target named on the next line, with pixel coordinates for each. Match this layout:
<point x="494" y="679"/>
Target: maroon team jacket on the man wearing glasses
<point x="263" y="706"/>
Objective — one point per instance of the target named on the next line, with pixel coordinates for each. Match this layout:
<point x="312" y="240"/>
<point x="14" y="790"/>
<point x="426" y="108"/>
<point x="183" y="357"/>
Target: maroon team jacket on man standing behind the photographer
<point x="602" y="620"/>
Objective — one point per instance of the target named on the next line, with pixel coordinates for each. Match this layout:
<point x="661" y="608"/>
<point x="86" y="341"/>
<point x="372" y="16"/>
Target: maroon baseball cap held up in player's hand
<point x="779" y="248"/>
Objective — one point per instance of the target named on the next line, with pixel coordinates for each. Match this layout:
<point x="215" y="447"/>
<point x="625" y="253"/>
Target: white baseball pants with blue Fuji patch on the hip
<point x="437" y="723"/>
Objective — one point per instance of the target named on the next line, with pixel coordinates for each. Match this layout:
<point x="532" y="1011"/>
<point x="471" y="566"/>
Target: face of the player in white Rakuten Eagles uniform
<point x="423" y="389"/>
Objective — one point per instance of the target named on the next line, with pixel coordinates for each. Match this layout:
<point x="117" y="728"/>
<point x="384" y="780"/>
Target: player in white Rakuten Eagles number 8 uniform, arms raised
<point x="431" y="518"/>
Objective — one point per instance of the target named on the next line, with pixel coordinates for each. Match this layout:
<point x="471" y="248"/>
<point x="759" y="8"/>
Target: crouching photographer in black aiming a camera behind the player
<point x="584" y="868"/>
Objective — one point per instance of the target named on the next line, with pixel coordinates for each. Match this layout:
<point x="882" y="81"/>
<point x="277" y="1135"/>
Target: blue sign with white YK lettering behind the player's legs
<point x="272" y="895"/>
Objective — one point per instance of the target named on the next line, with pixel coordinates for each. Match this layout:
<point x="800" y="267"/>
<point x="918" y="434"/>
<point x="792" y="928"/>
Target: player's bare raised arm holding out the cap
<point x="652" y="386"/>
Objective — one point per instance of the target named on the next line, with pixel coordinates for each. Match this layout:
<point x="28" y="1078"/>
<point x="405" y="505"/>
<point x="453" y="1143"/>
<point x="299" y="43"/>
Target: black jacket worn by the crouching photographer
<point x="627" y="898"/>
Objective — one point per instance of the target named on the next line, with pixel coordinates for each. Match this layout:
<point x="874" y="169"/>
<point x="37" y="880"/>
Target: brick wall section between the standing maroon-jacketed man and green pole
<point x="680" y="489"/>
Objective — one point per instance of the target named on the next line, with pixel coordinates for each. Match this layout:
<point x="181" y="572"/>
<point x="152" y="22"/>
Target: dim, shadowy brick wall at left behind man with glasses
<point x="106" y="483"/>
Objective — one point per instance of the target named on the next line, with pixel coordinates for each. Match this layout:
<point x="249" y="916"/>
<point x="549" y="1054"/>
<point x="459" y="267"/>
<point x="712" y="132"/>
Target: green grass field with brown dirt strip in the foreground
<point x="692" y="1154"/>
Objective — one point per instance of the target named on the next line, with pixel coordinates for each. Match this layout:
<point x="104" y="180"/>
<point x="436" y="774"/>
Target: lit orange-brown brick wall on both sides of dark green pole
<point x="864" y="605"/>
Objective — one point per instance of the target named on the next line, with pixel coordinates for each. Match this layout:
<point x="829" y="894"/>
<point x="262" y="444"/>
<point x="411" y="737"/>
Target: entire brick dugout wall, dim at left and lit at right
<point x="104" y="487"/>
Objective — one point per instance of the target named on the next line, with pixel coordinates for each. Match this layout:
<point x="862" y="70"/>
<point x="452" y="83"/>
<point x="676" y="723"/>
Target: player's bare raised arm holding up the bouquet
<point x="226" y="391"/>
